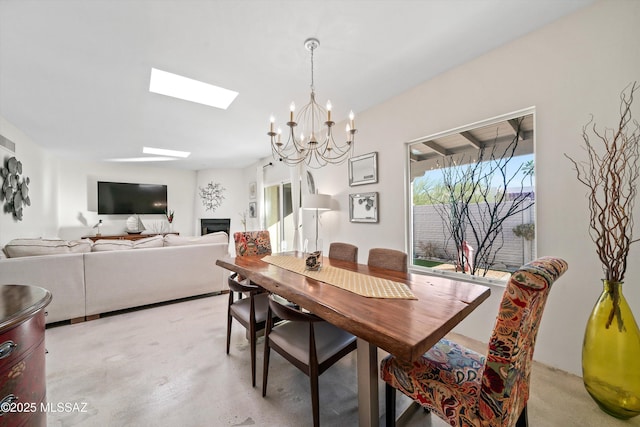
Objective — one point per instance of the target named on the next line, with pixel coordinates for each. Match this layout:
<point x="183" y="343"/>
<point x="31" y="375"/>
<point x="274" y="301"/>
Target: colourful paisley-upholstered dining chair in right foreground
<point x="466" y="388"/>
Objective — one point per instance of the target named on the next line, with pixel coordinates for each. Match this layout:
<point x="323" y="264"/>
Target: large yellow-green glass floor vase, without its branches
<point x="611" y="354"/>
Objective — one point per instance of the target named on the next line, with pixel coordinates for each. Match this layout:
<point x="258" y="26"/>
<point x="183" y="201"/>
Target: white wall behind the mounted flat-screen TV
<point x="63" y="193"/>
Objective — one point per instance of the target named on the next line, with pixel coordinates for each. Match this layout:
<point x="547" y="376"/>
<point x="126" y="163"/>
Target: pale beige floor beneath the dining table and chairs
<point x="166" y="366"/>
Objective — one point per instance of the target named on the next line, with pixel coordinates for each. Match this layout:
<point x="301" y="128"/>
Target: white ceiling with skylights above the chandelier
<point x="74" y="74"/>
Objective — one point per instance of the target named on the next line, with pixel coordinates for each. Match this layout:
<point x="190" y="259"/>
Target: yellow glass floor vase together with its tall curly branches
<point x="611" y="347"/>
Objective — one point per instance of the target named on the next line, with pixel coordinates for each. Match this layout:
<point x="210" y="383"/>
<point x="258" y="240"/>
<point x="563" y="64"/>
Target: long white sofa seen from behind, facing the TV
<point x="91" y="283"/>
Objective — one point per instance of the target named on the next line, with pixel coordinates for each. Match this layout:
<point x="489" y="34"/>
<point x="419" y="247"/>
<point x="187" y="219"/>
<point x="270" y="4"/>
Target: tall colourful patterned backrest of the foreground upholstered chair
<point x="505" y="382"/>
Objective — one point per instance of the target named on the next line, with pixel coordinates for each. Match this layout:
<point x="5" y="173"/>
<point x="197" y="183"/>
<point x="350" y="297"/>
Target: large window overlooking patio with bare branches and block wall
<point x="472" y="198"/>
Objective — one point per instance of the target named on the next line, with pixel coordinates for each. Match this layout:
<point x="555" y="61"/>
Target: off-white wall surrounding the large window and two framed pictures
<point x="567" y="70"/>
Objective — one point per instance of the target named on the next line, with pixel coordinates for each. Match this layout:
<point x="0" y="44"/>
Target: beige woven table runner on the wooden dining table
<point x="358" y="283"/>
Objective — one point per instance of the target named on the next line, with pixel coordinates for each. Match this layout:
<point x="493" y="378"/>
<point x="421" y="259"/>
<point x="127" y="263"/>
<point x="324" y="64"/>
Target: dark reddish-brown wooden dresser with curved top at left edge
<point x="22" y="355"/>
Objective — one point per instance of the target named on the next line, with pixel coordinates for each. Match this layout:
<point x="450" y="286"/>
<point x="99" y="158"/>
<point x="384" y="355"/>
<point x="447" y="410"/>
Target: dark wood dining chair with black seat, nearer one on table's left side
<point x="306" y="341"/>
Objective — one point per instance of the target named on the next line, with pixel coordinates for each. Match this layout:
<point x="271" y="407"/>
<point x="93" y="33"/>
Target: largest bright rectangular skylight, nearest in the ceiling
<point x="169" y="84"/>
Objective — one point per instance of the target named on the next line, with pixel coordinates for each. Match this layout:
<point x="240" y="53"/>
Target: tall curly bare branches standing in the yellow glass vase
<point x="611" y="174"/>
